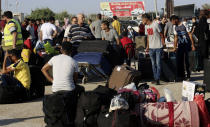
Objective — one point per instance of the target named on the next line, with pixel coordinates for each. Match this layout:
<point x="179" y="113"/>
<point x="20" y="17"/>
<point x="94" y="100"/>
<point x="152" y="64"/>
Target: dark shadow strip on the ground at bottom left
<point x="5" y="122"/>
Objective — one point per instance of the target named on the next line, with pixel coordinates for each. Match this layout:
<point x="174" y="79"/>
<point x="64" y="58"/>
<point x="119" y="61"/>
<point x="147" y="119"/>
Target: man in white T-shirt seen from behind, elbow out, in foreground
<point x="65" y="70"/>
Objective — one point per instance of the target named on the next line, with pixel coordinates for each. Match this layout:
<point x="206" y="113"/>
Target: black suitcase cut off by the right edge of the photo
<point x="207" y="74"/>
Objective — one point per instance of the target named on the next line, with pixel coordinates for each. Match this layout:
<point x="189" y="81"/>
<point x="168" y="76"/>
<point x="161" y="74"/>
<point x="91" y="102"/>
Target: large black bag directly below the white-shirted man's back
<point x="60" y="109"/>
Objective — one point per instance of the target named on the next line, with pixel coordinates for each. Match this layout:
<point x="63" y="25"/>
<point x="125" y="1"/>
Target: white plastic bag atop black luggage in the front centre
<point x="118" y="103"/>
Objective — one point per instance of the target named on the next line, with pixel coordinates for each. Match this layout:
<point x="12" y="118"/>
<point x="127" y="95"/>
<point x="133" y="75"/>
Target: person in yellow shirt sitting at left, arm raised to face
<point x="22" y="77"/>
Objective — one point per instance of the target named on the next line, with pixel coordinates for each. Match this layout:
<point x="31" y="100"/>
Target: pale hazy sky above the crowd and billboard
<point x="81" y="6"/>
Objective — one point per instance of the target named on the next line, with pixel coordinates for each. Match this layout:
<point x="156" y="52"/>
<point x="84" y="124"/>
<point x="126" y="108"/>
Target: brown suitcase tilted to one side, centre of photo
<point x="122" y="76"/>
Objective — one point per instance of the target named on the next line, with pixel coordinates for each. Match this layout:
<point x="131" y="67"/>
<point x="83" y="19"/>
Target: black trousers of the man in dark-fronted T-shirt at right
<point x="182" y="61"/>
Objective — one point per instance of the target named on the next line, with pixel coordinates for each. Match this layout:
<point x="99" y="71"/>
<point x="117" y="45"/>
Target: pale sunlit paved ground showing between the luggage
<point x="30" y="114"/>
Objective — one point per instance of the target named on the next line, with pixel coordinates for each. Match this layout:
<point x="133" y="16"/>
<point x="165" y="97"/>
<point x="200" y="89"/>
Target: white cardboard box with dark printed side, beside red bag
<point x="190" y="89"/>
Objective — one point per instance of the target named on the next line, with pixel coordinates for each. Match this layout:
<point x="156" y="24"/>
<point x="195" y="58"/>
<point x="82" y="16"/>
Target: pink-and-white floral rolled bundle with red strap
<point x="183" y="114"/>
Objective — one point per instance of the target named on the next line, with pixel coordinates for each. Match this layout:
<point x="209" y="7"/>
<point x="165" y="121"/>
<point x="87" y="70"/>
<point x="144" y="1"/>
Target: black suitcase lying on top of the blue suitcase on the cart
<point x="93" y="46"/>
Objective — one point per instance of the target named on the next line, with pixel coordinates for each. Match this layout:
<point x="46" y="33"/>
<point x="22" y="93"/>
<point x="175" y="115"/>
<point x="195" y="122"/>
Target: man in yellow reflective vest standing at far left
<point x="12" y="33"/>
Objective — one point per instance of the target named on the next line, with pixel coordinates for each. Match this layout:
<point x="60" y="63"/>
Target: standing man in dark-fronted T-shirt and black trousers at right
<point x="183" y="44"/>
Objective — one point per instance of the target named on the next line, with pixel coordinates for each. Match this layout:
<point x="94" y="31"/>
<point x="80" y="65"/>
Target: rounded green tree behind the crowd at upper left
<point x="41" y="13"/>
